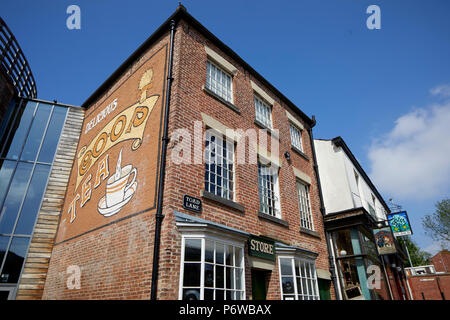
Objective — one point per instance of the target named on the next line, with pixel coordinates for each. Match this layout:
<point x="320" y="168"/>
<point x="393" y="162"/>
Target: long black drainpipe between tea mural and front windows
<point x="165" y="140"/>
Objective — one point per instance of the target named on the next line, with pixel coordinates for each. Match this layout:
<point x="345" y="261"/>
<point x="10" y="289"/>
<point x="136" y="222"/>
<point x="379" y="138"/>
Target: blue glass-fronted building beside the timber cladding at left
<point x="29" y="132"/>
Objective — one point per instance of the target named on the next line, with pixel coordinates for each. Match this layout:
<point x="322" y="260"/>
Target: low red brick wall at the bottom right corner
<point x="426" y="287"/>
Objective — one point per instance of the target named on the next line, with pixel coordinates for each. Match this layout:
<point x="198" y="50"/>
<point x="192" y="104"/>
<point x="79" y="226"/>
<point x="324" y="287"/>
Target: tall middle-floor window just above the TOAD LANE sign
<point x="219" y="166"/>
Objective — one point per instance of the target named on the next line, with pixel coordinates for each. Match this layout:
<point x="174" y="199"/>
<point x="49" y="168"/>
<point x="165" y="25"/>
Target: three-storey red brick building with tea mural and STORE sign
<point x="242" y="223"/>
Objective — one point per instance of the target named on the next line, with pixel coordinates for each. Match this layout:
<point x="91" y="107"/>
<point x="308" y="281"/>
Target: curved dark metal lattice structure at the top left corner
<point x="14" y="64"/>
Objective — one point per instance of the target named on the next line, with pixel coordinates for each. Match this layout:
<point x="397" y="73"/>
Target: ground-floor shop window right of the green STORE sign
<point x="298" y="279"/>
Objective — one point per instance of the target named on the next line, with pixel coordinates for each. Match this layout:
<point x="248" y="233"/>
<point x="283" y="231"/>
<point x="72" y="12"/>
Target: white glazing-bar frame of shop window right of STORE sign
<point x="314" y="287"/>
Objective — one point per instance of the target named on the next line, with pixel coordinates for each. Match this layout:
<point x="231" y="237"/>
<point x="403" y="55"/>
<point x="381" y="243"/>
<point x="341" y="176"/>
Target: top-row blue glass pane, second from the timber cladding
<point x="36" y="132"/>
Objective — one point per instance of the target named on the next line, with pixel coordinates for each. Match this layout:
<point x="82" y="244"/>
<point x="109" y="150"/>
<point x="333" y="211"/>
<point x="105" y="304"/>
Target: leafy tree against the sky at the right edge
<point x="437" y="225"/>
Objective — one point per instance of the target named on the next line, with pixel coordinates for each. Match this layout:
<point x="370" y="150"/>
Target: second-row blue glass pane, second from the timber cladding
<point x="14" y="198"/>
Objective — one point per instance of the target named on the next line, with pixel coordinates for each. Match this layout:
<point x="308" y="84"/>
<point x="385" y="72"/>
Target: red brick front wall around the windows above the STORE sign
<point x="188" y="100"/>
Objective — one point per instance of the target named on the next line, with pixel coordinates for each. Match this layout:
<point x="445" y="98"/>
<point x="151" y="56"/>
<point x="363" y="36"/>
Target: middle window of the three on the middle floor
<point x="276" y="207"/>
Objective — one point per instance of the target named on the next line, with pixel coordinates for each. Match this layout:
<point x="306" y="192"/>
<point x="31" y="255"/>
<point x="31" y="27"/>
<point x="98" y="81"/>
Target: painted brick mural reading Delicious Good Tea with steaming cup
<point x="114" y="174"/>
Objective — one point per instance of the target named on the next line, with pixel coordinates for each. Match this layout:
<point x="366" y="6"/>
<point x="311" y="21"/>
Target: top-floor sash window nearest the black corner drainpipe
<point x="219" y="88"/>
